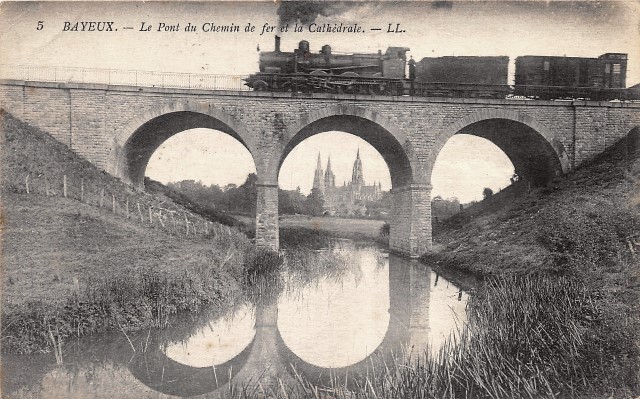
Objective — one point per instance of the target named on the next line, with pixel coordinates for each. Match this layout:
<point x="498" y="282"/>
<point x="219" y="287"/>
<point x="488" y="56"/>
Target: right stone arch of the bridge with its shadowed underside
<point x="534" y="150"/>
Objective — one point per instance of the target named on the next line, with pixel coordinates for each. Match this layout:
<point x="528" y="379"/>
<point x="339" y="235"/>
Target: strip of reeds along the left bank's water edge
<point x="120" y="302"/>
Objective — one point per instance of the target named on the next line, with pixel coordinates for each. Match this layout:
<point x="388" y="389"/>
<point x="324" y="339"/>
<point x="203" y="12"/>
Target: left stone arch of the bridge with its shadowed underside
<point x="134" y="145"/>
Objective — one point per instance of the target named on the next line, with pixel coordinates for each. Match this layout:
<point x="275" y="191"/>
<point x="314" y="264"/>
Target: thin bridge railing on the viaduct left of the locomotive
<point x="123" y="77"/>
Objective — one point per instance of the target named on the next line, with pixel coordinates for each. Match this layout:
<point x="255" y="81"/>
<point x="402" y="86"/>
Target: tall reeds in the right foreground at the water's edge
<point x="526" y="337"/>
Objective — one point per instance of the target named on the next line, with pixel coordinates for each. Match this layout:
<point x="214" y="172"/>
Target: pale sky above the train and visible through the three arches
<point x="582" y="28"/>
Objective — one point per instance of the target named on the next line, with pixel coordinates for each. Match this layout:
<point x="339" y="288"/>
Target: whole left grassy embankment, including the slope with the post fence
<point x="89" y="261"/>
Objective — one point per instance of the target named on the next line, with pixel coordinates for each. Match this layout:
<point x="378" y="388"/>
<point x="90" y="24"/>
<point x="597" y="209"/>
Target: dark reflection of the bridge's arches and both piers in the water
<point x="268" y="360"/>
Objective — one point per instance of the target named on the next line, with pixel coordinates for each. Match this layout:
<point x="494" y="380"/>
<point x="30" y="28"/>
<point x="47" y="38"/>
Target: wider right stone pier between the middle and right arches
<point x="410" y="233"/>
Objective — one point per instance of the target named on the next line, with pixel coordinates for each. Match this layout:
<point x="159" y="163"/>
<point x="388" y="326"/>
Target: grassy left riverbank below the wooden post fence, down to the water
<point x="71" y="270"/>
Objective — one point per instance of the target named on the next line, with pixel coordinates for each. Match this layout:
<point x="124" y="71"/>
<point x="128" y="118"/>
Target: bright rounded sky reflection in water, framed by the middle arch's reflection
<point x="338" y="322"/>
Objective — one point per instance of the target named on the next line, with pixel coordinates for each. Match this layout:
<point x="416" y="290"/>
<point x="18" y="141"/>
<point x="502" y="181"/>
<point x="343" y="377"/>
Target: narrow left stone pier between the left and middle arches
<point x="267" y="234"/>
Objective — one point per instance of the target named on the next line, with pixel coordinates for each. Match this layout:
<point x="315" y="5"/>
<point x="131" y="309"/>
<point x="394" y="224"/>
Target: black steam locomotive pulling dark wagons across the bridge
<point x="536" y="77"/>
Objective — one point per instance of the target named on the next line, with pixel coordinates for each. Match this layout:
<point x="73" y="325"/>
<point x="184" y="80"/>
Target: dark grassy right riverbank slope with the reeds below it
<point x="583" y="230"/>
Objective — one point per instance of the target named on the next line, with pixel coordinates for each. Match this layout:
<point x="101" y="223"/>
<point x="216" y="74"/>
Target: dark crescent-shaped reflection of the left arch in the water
<point x="160" y="373"/>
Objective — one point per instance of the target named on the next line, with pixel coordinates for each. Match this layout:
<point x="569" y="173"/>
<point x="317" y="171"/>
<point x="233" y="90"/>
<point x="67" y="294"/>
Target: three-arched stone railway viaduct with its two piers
<point x="119" y="127"/>
